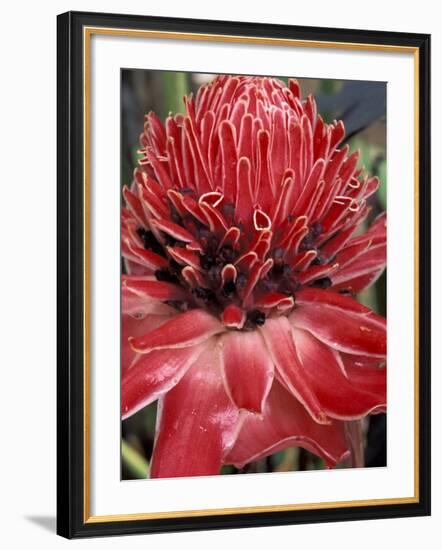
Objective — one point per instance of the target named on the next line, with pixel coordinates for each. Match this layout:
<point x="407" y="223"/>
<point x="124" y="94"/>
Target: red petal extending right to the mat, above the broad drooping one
<point x="343" y="330"/>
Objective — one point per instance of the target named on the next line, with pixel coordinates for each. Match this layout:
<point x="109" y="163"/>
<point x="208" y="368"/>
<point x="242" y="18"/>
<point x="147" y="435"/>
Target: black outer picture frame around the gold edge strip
<point x="71" y="519"/>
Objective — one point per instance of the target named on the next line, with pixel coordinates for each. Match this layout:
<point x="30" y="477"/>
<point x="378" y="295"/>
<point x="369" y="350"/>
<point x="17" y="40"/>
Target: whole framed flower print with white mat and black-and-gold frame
<point x="243" y="242"/>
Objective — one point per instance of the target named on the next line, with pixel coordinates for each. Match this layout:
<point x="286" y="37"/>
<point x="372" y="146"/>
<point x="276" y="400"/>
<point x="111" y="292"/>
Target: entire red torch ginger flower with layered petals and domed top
<point x="237" y="307"/>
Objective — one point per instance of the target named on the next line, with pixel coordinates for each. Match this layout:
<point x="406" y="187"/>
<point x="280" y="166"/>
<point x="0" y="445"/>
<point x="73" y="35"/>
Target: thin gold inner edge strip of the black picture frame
<point x="87" y="33"/>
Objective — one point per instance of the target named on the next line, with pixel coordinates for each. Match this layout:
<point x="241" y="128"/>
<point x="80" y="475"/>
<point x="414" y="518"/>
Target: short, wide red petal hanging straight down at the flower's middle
<point x="248" y="369"/>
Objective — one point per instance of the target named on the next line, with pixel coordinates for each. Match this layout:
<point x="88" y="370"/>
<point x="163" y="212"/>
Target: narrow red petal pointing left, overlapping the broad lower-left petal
<point x="186" y="329"/>
